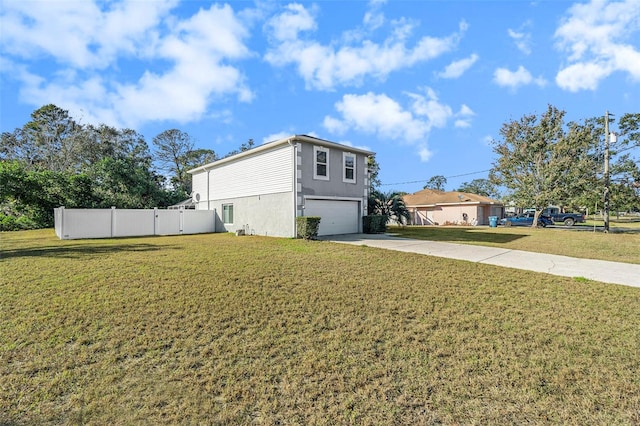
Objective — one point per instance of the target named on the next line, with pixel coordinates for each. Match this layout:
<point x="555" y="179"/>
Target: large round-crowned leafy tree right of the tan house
<point x="540" y="163"/>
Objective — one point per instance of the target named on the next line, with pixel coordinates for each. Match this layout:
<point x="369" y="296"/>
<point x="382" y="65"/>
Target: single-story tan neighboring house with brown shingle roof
<point x="432" y="207"/>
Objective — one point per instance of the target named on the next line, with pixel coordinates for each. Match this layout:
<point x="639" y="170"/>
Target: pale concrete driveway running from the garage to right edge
<point x="598" y="270"/>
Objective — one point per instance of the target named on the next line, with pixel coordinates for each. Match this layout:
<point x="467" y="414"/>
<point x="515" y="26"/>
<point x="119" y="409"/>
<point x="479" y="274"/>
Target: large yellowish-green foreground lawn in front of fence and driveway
<point x="219" y="329"/>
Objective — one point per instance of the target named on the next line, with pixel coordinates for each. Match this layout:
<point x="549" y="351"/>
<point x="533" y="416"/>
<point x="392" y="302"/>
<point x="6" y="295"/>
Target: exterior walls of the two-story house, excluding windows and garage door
<point x="269" y="189"/>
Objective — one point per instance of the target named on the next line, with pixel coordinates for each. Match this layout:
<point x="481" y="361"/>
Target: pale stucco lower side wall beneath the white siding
<point x="270" y="215"/>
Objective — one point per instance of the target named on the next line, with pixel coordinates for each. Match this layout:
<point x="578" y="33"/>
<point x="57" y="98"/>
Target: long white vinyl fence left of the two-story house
<point x="111" y="223"/>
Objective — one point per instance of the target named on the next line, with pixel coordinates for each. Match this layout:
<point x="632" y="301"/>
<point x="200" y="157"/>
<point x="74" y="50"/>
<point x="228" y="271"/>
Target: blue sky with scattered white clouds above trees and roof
<point x="427" y="85"/>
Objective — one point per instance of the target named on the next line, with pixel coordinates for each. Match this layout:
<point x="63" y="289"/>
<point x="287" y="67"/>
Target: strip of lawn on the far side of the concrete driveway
<point x="616" y="247"/>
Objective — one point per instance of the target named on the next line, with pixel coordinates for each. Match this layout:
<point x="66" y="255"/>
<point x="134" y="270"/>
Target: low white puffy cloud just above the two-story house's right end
<point x="388" y="120"/>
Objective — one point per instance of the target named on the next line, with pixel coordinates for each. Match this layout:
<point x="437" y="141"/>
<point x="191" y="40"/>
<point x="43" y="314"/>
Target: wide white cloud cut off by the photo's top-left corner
<point x="80" y="34"/>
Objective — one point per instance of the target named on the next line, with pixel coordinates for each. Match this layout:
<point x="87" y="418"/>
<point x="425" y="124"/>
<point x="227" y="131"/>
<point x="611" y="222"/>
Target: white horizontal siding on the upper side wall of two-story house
<point x="268" y="173"/>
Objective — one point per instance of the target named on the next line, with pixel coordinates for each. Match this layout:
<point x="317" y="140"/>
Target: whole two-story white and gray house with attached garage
<point x="264" y="189"/>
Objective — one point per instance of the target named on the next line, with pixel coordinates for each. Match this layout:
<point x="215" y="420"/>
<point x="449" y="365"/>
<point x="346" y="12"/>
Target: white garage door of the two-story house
<point x="338" y="217"/>
